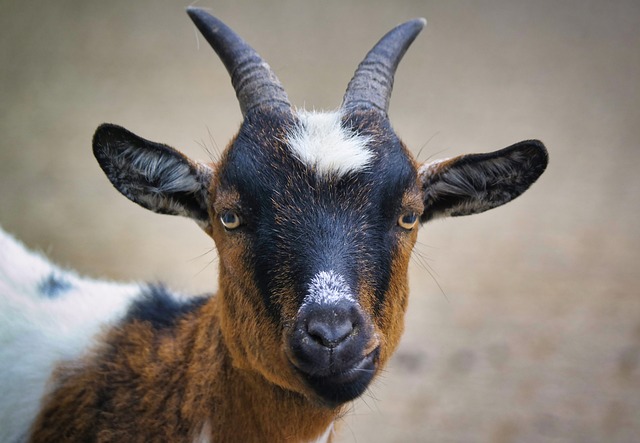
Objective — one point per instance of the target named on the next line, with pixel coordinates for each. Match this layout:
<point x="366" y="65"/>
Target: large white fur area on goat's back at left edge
<point x="37" y="333"/>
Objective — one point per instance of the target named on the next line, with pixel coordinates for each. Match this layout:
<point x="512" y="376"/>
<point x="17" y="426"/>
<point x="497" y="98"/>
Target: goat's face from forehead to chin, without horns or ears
<point x="323" y="252"/>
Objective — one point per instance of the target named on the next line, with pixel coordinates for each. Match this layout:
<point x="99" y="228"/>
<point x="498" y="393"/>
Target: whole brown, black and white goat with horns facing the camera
<point x="314" y="216"/>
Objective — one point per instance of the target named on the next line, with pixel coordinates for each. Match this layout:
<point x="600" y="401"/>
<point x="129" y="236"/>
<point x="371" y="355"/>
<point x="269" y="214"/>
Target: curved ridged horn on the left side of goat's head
<point x="251" y="77"/>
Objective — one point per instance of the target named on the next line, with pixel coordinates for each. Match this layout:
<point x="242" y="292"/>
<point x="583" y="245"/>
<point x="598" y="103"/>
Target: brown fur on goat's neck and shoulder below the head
<point x="172" y="384"/>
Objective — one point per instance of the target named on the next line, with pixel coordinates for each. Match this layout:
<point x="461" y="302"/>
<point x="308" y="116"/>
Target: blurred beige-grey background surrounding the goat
<point x="524" y="322"/>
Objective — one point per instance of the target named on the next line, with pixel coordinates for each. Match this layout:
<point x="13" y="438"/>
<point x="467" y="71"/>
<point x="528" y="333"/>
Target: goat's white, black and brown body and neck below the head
<point x="159" y="370"/>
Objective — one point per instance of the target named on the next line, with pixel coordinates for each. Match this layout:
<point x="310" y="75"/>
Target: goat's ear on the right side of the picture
<point x="470" y="184"/>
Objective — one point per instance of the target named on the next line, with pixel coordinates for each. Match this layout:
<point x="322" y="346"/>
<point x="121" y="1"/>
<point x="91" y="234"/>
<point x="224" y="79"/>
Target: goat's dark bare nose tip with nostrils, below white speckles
<point x="331" y="326"/>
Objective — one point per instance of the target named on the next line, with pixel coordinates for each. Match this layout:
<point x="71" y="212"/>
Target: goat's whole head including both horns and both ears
<point x="314" y="216"/>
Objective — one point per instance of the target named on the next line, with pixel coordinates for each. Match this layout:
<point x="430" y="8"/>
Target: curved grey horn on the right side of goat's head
<point x="372" y="82"/>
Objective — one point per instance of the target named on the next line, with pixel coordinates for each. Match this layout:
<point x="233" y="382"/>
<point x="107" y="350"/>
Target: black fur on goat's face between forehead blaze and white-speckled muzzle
<point x="298" y="224"/>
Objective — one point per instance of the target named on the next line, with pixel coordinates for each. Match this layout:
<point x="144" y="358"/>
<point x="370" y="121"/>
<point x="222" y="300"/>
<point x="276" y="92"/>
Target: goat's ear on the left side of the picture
<point x="155" y="176"/>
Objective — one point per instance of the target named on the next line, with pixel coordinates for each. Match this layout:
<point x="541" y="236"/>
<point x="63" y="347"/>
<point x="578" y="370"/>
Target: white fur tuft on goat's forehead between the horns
<point x="320" y="142"/>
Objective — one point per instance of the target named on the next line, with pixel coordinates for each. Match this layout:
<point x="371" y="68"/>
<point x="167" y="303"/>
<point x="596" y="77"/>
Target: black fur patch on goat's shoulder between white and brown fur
<point x="159" y="307"/>
